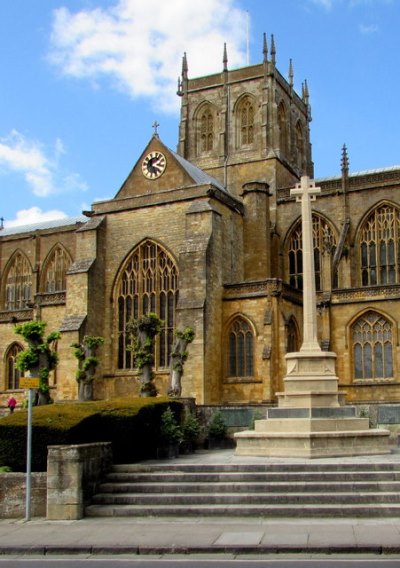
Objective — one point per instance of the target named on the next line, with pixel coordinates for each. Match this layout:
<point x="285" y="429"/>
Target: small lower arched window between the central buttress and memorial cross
<point x="240" y="351"/>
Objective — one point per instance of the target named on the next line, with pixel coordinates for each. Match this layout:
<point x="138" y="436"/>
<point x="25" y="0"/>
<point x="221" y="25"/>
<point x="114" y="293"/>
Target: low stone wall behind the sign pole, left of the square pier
<point x="13" y="495"/>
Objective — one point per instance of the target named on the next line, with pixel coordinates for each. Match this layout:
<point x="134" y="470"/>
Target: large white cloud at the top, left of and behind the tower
<point x="140" y="46"/>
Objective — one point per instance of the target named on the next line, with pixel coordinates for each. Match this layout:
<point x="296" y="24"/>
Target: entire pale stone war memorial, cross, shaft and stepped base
<point x="311" y="420"/>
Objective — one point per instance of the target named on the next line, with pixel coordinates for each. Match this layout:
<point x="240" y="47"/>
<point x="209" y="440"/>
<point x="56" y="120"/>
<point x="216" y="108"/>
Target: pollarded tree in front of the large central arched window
<point x="143" y="332"/>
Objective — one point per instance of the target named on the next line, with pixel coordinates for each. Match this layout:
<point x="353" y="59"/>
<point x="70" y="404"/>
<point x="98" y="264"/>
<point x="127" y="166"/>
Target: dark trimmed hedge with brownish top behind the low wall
<point x="131" y="425"/>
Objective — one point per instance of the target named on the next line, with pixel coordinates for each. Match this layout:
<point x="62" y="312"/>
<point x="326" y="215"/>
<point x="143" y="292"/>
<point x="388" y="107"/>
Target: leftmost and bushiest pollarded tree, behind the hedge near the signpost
<point x="40" y="358"/>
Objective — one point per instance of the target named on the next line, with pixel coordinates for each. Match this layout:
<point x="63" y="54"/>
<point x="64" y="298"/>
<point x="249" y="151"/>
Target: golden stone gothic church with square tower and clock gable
<point x="208" y="236"/>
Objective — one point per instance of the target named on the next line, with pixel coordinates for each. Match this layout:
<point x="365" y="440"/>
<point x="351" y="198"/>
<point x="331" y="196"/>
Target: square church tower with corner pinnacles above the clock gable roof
<point x="246" y="125"/>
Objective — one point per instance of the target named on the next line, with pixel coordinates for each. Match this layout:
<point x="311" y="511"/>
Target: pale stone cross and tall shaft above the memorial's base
<point x="305" y="192"/>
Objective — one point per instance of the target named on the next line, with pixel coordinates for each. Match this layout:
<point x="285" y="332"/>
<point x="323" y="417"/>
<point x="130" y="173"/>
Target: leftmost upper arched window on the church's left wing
<point x="18" y="283"/>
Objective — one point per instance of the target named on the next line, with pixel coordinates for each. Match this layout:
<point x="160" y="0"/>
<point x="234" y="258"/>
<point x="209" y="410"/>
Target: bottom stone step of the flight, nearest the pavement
<point x="278" y="510"/>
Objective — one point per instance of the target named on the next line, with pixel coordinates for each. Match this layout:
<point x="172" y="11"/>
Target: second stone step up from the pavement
<point x="245" y="499"/>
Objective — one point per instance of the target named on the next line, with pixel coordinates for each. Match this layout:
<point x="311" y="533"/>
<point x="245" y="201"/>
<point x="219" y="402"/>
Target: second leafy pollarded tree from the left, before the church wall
<point x="85" y="352"/>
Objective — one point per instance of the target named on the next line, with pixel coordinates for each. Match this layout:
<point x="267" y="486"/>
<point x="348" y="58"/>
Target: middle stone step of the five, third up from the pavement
<point x="255" y="487"/>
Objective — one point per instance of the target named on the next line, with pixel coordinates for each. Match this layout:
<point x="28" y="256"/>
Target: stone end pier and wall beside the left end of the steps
<point x="73" y="473"/>
